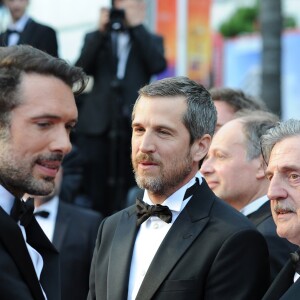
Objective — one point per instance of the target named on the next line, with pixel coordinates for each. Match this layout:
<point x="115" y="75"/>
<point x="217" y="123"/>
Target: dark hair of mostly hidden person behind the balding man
<point x="237" y="99"/>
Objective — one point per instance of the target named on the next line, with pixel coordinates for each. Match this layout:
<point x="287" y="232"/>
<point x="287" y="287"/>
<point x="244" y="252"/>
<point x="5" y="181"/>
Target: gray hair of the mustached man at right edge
<point x="280" y="132"/>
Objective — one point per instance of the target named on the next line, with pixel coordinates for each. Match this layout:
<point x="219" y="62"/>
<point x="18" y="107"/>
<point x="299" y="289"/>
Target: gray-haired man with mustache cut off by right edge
<point x="280" y="147"/>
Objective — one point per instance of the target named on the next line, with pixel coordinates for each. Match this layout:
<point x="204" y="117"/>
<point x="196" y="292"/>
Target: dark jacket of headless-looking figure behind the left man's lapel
<point x="74" y="236"/>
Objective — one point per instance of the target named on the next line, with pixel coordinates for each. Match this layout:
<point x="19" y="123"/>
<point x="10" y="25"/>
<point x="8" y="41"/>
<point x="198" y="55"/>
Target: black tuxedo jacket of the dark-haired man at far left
<point x="18" y="279"/>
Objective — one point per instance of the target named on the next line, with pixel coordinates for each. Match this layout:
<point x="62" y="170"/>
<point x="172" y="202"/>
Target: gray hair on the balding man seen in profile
<point x="255" y="125"/>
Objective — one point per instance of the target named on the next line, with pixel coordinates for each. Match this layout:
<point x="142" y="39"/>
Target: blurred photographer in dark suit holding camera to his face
<point x="121" y="56"/>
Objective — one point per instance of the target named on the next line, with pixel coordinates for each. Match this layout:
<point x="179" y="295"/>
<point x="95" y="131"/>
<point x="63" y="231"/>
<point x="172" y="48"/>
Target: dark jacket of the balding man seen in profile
<point x="279" y="248"/>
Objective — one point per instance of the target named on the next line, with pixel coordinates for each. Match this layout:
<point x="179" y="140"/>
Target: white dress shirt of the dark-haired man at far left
<point x="6" y="202"/>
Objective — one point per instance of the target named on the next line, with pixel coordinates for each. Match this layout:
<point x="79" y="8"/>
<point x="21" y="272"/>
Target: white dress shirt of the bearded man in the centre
<point x="150" y="236"/>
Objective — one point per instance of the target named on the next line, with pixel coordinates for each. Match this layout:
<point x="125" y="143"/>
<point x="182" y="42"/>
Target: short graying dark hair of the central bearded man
<point x="200" y="117"/>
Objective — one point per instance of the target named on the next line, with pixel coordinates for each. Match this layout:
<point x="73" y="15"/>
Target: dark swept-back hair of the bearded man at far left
<point x="15" y="61"/>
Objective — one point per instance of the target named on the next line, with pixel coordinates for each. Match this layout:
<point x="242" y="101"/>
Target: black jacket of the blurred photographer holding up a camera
<point x="146" y="58"/>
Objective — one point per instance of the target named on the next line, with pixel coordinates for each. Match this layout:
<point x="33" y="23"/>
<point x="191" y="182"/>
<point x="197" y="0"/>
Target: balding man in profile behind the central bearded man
<point x="234" y="170"/>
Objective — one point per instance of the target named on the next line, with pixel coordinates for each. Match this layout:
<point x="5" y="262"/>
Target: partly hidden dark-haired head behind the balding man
<point x="229" y="101"/>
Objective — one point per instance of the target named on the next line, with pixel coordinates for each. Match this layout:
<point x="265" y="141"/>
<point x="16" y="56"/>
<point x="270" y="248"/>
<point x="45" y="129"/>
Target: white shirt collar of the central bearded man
<point x="175" y="201"/>
